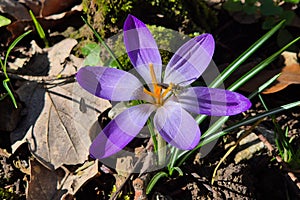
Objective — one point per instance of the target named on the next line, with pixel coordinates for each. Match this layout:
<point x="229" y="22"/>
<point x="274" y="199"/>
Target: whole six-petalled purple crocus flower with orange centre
<point x="170" y="103"/>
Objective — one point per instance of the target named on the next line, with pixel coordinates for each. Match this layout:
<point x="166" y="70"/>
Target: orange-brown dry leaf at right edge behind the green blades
<point x="290" y="74"/>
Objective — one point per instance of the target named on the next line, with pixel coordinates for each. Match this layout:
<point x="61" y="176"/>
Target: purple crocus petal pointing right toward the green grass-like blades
<point x="212" y="101"/>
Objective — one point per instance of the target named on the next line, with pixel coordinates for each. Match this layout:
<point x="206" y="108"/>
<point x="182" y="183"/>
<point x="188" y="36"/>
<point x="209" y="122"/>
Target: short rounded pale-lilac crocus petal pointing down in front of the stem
<point x="177" y="126"/>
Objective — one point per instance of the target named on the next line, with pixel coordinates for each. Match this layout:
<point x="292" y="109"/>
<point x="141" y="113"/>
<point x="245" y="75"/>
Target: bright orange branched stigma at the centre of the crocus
<point x="158" y="92"/>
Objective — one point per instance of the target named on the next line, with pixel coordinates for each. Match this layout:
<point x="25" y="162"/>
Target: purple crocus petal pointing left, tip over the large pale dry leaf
<point x="110" y="83"/>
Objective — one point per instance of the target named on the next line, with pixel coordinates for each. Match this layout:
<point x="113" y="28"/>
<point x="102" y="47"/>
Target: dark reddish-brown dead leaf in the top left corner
<point x="49" y="13"/>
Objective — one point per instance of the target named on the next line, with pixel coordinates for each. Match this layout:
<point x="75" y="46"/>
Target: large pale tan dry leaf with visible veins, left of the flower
<point x="62" y="119"/>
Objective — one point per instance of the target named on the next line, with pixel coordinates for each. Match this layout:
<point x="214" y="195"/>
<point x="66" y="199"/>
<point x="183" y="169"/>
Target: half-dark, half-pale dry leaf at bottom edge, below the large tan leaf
<point x="56" y="184"/>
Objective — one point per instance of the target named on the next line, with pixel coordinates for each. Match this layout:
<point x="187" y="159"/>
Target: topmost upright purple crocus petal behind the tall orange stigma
<point x="141" y="48"/>
